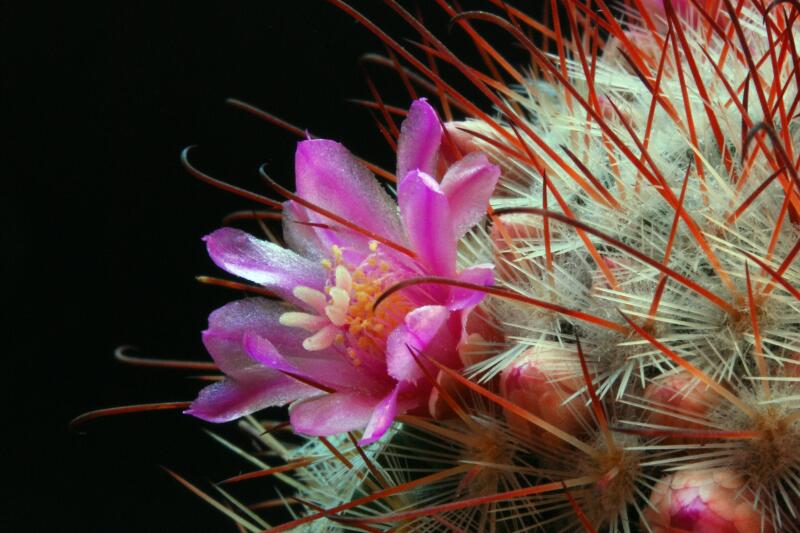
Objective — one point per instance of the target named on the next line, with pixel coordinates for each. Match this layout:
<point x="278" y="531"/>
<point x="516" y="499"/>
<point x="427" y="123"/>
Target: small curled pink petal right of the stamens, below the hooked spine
<point x="412" y="338"/>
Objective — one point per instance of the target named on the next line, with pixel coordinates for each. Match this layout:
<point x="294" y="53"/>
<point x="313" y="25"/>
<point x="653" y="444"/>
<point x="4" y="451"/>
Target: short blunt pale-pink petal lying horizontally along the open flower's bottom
<point x="332" y="414"/>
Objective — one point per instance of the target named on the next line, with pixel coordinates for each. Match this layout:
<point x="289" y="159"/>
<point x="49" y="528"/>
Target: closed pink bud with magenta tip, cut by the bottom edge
<point x="707" y="501"/>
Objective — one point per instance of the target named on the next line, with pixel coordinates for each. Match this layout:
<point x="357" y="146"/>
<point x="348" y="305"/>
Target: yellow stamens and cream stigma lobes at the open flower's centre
<point x="345" y="315"/>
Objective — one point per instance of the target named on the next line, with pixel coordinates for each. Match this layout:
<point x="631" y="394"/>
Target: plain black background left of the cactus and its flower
<point x="102" y="227"/>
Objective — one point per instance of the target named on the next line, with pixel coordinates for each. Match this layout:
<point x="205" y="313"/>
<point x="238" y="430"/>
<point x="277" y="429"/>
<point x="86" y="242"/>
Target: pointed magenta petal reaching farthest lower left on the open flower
<point x="234" y="398"/>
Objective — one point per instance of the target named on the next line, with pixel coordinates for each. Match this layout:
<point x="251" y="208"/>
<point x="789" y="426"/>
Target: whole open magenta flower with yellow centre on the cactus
<point x="354" y="364"/>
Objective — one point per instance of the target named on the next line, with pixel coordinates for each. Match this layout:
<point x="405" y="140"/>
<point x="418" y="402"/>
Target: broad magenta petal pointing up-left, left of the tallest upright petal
<point x="331" y="177"/>
